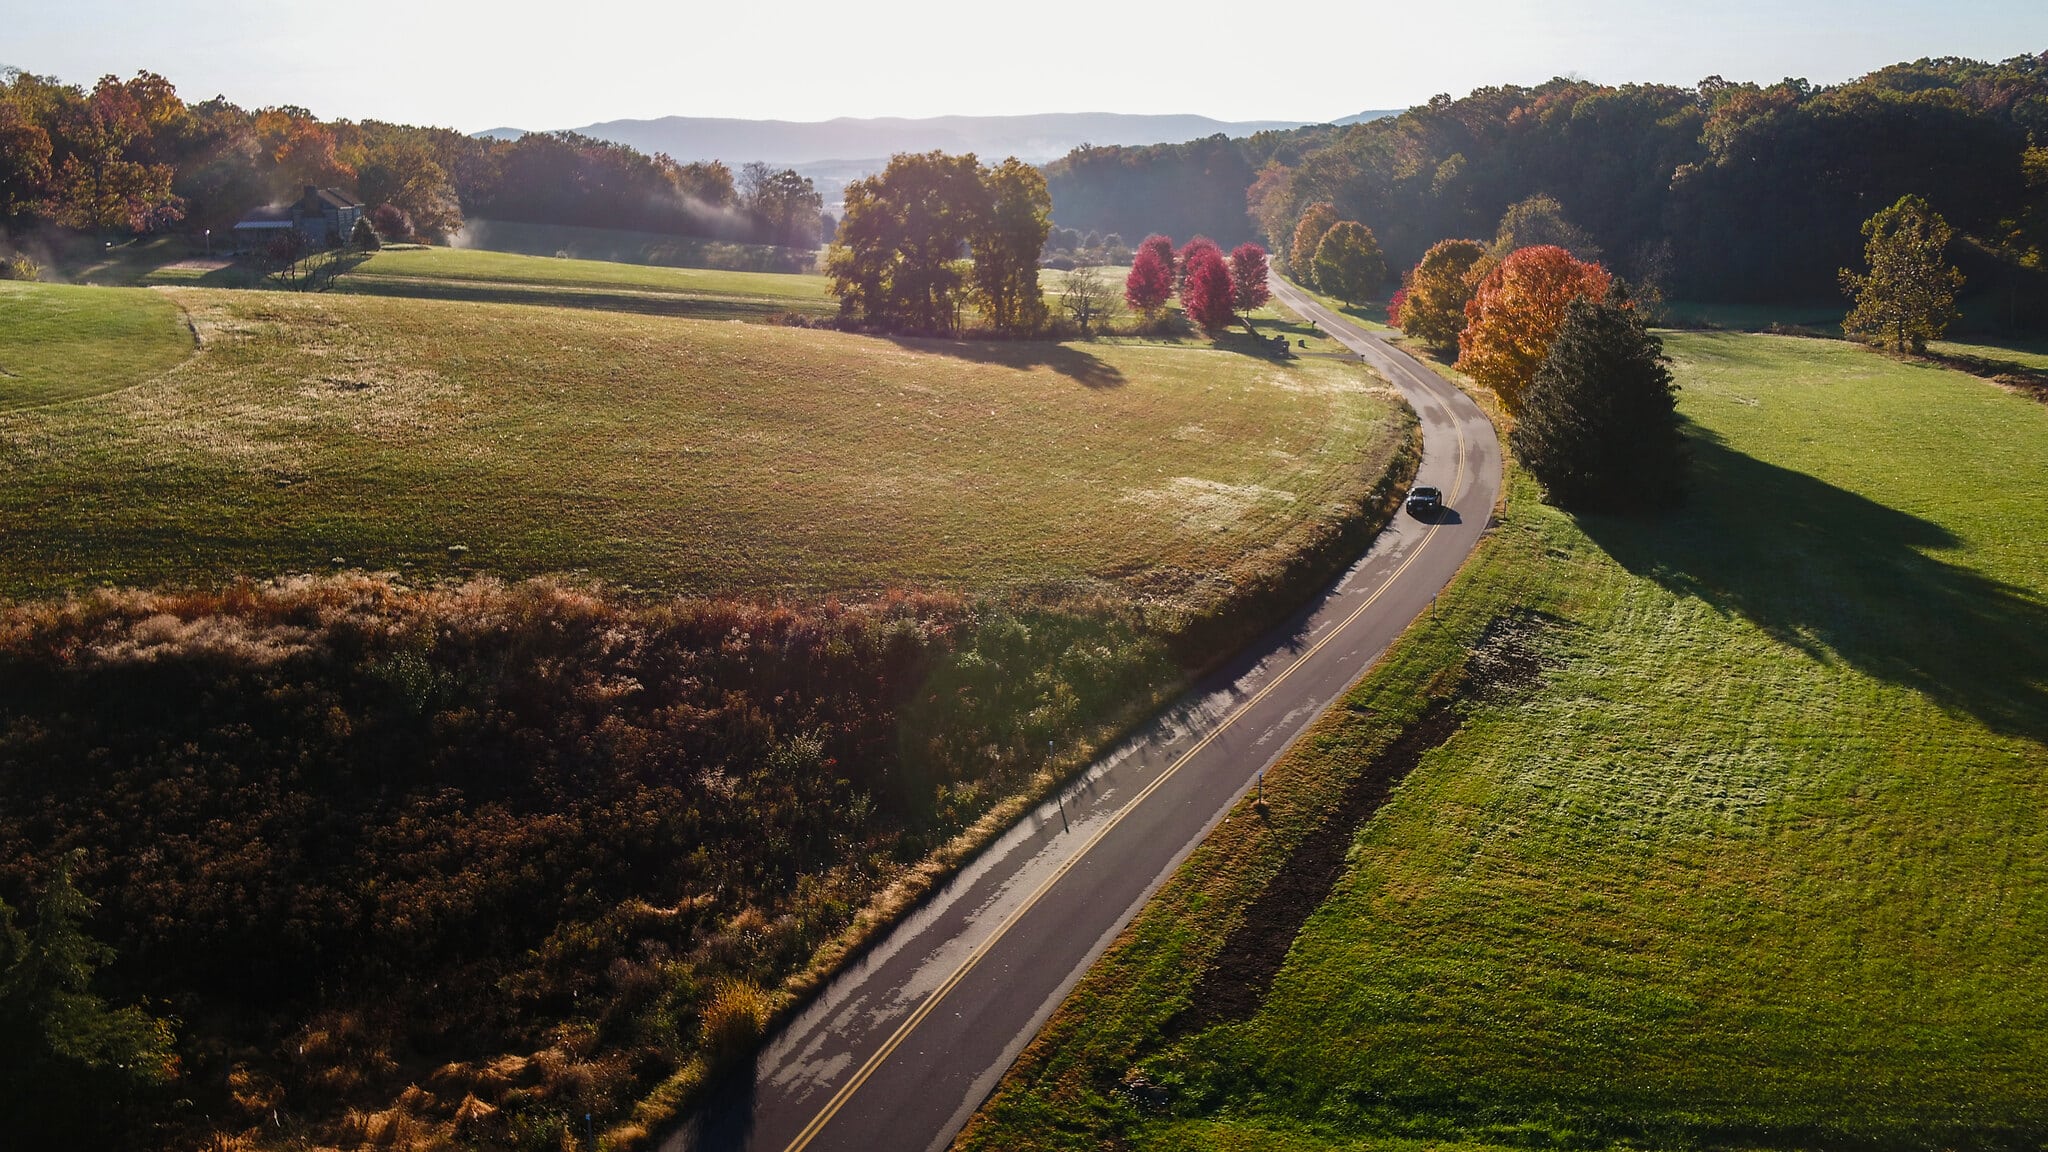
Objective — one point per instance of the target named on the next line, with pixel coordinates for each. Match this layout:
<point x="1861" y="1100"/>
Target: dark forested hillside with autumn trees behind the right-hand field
<point x="1730" y="192"/>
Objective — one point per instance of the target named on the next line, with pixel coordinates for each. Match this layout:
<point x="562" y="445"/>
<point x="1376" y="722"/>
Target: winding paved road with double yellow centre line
<point x="906" y="1044"/>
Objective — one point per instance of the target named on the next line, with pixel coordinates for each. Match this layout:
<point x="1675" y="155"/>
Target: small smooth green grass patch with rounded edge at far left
<point x="67" y="343"/>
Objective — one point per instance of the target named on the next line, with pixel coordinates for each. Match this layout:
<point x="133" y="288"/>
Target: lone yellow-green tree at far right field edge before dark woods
<point x="1910" y="292"/>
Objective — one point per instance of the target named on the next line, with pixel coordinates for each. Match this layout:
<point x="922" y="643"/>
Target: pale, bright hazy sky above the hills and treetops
<point x="484" y="65"/>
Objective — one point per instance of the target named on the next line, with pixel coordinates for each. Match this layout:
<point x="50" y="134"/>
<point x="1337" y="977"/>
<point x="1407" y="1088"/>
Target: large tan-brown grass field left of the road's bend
<point x="437" y="438"/>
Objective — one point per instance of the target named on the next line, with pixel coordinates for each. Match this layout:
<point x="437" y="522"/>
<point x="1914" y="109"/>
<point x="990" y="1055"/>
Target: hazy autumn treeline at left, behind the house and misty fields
<point x="130" y="157"/>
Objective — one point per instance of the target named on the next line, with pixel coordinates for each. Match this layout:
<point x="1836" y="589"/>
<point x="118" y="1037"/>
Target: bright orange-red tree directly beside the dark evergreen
<point x="1517" y="313"/>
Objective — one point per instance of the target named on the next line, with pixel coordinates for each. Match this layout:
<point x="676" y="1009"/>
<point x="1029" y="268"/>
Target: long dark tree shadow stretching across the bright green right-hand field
<point x="1846" y="579"/>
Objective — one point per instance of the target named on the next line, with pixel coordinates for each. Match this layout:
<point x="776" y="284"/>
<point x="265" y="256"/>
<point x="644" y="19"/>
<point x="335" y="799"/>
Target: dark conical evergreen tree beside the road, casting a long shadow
<point x="1598" y="425"/>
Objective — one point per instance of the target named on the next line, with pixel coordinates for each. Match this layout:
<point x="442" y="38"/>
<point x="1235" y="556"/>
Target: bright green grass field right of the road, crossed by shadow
<point x="1752" y="852"/>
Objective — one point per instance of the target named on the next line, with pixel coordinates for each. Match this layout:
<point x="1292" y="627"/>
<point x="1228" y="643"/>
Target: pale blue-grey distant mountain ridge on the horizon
<point x="861" y="142"/>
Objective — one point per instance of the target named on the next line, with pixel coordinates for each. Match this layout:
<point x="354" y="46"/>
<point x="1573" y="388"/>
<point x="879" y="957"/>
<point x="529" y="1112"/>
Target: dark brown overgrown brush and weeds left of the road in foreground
<point x="347" y="833"/>
